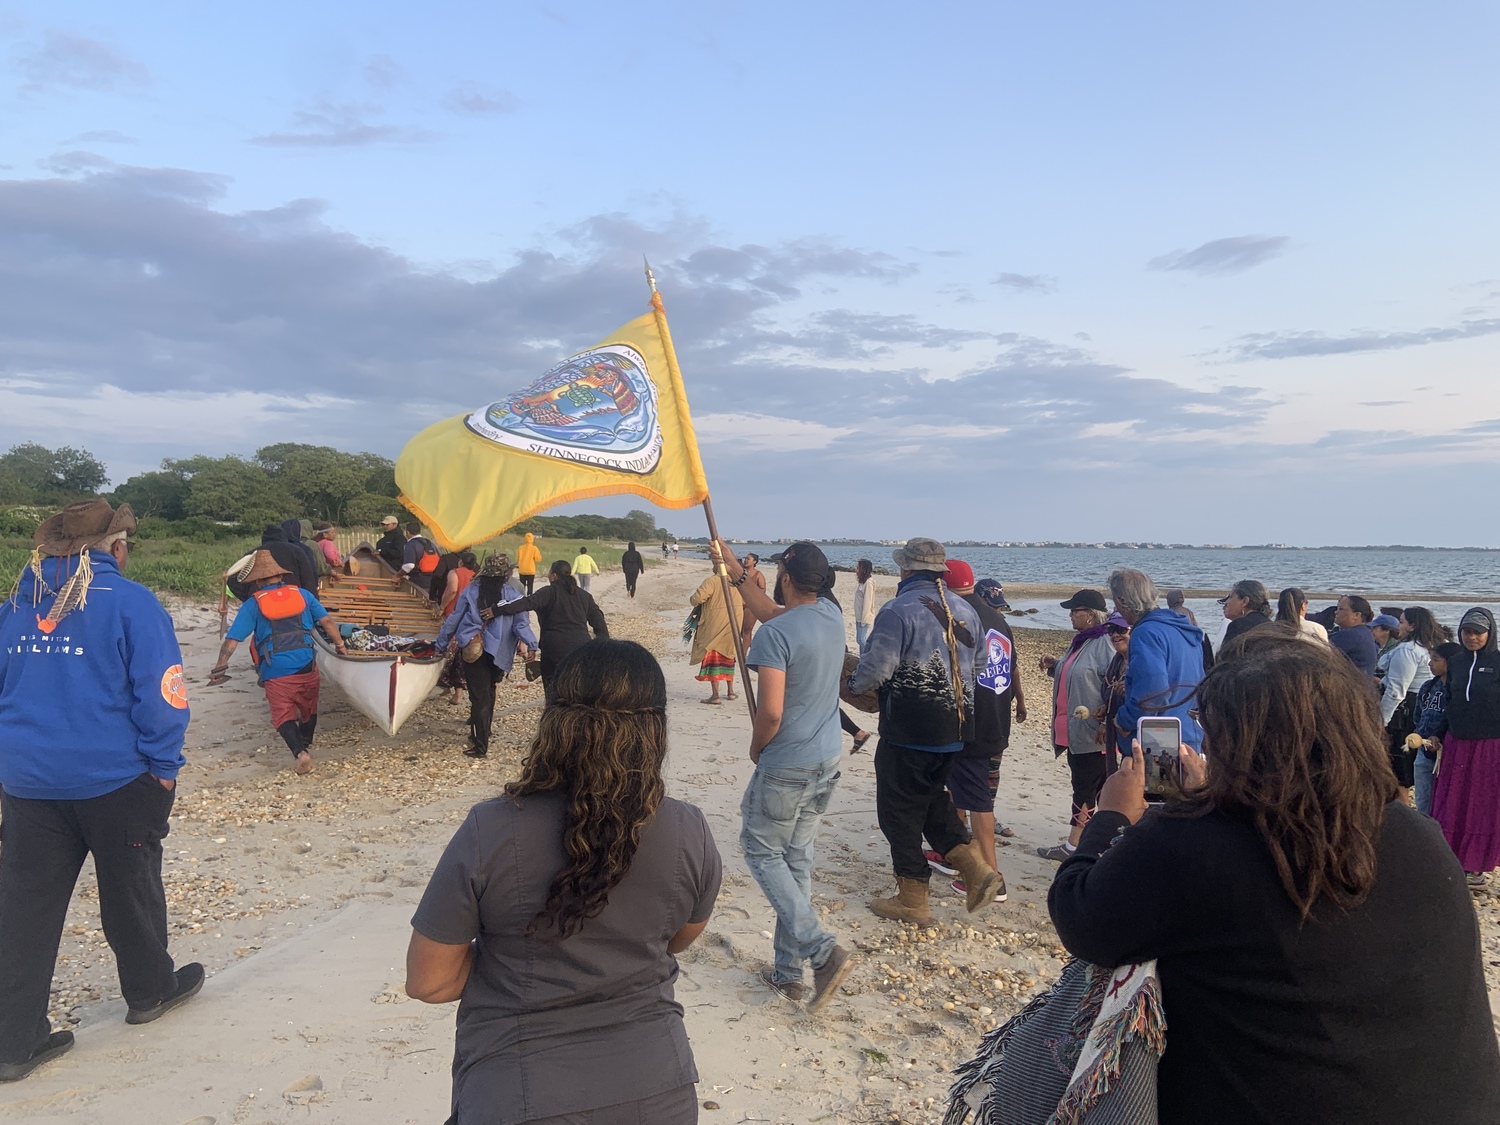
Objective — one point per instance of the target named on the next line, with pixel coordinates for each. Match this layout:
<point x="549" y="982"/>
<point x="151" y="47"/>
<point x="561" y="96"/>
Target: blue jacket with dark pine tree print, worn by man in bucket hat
<point x="907" y="664"/>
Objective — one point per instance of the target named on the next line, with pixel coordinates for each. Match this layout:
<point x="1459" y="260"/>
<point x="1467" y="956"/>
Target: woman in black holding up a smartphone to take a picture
<point x="1282" y="901"/>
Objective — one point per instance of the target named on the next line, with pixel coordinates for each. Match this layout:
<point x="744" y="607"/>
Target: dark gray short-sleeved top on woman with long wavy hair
<point x="548" y="1028"/>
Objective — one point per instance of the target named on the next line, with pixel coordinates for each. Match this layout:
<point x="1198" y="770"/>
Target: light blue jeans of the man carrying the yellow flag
<point x="781" y="809"/>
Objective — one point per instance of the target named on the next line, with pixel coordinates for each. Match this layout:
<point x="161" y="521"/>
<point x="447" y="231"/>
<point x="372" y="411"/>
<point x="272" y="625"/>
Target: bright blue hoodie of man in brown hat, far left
<point x="98" y="701"/>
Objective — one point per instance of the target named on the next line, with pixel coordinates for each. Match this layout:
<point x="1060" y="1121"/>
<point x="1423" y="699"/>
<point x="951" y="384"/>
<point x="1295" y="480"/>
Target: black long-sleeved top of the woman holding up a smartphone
<point x="1376" y="1016"/>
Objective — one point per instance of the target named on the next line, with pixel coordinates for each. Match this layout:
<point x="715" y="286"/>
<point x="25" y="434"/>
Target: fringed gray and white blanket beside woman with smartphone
<point x="1082" y="1054"/>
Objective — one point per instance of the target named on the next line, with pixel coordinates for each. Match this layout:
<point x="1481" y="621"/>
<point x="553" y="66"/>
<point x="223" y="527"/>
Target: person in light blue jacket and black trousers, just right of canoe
<point x="499" y="643"/>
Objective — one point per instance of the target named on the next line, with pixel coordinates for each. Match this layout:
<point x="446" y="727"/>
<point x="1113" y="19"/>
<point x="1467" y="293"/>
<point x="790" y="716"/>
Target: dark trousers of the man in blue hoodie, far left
<point x="43" y="848"/>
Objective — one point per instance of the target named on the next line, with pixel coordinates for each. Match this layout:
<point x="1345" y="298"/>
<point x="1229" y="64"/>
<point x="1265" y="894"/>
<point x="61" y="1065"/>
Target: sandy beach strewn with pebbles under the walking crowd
<point x="298" y="893"/>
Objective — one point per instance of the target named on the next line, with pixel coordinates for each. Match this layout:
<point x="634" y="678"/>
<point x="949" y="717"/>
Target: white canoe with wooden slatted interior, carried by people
<point x="385" y="686"/>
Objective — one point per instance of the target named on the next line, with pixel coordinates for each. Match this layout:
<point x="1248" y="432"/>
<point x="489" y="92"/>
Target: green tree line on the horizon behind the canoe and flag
<point x="287" y="481"/>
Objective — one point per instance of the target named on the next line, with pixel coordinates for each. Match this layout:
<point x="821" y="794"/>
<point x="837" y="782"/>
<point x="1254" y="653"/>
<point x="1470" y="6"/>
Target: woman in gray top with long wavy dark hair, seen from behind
<point x="559" y="908"/>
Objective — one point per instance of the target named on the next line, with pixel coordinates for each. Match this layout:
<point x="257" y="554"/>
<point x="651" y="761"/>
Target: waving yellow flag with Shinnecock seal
<point x="608" y="421"/>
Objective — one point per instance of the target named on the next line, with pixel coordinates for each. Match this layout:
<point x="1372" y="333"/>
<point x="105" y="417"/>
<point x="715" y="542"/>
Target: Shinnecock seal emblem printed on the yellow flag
<point x="595" y="409"/>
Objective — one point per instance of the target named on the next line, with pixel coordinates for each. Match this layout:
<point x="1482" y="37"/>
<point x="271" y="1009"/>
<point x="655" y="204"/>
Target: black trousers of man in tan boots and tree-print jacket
<point x="911" y="802"/>
